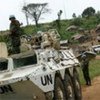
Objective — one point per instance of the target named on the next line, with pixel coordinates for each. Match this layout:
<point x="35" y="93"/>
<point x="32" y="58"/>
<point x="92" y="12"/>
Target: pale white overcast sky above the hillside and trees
<point x="13" y="7"/>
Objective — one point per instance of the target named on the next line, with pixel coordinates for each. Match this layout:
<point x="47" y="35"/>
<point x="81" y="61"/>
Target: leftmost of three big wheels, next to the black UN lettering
<point x="59" y="92"/>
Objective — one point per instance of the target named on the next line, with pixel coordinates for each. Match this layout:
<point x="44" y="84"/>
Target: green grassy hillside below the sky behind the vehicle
<point x="82" y="24"/>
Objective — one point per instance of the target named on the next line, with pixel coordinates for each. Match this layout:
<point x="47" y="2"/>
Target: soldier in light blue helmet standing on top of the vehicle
<point x="15" y="31"/>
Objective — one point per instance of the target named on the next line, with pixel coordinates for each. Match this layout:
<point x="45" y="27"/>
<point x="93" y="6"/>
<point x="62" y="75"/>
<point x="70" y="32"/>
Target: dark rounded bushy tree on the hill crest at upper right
<point x="90" y="11"/>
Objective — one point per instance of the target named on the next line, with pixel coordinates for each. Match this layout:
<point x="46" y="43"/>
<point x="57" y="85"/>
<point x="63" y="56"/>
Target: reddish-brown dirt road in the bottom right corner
<point x="92" y="92"/>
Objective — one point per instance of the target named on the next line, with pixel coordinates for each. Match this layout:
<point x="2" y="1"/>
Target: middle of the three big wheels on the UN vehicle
<point x="69" y="88"/>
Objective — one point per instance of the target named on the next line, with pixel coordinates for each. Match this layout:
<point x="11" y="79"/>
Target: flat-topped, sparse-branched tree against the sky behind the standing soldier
<point x="34" y="11"/>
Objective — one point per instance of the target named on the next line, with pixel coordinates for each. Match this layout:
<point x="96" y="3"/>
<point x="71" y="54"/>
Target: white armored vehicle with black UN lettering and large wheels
<point x="41" y="74"/>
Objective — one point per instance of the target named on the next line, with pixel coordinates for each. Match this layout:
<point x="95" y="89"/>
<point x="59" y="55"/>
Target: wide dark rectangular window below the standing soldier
<point x="21" y="62"/>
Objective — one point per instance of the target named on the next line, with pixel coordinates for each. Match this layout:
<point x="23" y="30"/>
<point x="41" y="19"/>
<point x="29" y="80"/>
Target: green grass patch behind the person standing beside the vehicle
<point x="94" y="68"/>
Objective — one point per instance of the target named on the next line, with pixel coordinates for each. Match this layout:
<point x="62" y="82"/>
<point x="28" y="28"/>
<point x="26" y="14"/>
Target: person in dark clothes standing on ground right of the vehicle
<point x="85" y="69"/>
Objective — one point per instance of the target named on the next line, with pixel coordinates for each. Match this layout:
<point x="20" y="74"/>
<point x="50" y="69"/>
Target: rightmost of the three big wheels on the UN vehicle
<point x="77" y="86"/>
